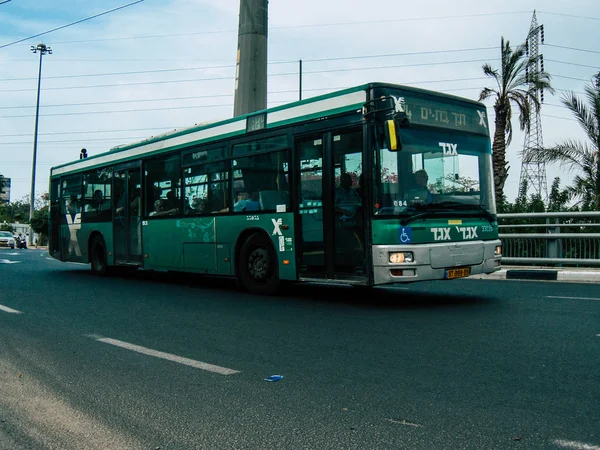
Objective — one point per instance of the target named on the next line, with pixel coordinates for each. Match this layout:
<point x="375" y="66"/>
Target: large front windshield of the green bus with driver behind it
<point x="435" y="171"/>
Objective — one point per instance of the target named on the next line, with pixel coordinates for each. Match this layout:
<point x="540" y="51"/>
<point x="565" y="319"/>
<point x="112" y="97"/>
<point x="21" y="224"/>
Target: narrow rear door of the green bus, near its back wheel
<point x="127" y="231"/>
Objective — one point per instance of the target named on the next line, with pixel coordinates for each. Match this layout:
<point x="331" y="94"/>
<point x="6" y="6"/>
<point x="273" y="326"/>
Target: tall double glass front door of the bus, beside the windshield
<point x="331" y="233"/>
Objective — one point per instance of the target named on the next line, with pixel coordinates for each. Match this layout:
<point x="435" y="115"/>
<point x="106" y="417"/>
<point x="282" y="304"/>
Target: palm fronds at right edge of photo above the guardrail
<point x="582" y="157"/>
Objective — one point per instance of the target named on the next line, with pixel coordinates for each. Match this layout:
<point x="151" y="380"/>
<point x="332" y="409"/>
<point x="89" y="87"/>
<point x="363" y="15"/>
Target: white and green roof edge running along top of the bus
<point x="341" y="101"/>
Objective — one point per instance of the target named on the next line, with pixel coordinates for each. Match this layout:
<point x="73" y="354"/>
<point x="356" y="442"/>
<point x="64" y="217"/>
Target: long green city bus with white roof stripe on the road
<point x="371" y="185"/>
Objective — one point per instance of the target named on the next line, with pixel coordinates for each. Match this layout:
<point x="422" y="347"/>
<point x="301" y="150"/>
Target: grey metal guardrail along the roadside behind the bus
<point x="546" y="244"/>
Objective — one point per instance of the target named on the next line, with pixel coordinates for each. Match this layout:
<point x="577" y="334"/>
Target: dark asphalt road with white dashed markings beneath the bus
<point x="164" y="361"/>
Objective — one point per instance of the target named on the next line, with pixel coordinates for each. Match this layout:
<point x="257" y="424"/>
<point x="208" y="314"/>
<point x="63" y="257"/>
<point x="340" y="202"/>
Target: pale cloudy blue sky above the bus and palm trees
<point x="159" y="65"/>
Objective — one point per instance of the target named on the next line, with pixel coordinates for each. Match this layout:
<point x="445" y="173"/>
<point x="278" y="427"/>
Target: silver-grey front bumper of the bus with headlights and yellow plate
<point x="435" y="261"/>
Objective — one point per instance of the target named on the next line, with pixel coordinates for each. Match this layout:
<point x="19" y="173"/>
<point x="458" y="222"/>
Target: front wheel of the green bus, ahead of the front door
<point x="257" y="265"/>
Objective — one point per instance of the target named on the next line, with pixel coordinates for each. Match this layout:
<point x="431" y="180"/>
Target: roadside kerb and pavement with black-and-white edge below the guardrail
<point x="569" y="274"/>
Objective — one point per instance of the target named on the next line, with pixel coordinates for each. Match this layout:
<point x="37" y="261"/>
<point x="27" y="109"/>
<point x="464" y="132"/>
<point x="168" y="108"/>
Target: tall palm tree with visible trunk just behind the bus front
<point x="516" y="85"/>
